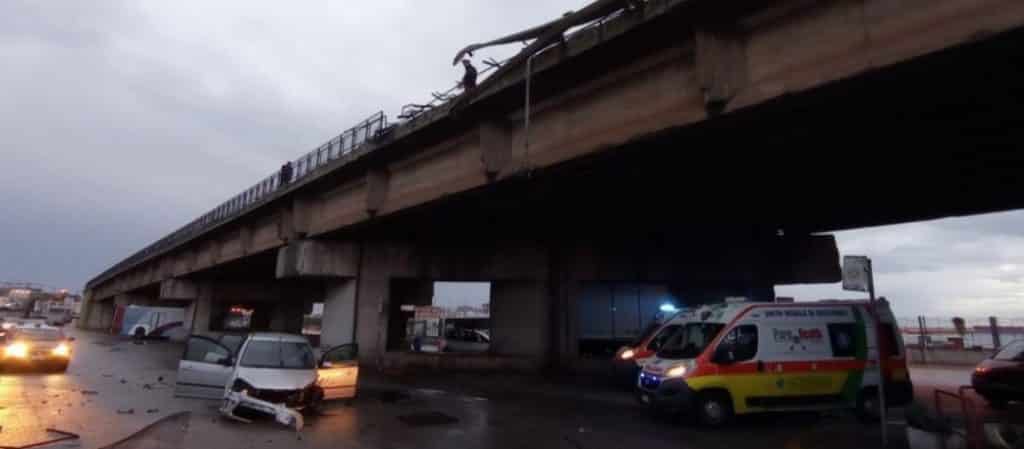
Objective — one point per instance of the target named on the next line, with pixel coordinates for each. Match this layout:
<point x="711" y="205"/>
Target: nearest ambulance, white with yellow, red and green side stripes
<point x="740" y="358"/>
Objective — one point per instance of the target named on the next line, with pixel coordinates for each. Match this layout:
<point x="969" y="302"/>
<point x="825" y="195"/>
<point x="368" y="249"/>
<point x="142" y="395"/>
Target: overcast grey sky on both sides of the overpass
<point x="123" y="120"/>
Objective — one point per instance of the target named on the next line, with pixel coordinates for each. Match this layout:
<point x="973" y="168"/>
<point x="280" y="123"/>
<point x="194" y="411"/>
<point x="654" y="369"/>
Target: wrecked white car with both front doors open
<point x="274" y="374"/>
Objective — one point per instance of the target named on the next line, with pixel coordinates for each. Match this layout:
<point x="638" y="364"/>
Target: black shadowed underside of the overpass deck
<point x="938" y="137"/>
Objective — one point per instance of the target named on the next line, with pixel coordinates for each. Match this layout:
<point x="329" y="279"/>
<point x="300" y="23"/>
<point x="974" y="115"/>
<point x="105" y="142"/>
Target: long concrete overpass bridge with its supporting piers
<point x="690" y="149"/>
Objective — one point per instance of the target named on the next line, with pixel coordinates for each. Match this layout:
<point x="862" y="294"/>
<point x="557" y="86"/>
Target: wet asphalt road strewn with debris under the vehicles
<point x="114" y="390"/>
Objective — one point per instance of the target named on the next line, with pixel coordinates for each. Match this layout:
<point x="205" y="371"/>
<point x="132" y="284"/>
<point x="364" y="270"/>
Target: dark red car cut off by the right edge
<point x="1001" y="379"/>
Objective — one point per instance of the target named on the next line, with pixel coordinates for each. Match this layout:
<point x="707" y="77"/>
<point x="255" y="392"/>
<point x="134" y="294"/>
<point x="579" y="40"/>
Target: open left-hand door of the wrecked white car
<point x="204" y="370"/>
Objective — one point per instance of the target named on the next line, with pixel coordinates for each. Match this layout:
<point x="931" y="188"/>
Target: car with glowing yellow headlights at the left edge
<point x="35" y="346"/>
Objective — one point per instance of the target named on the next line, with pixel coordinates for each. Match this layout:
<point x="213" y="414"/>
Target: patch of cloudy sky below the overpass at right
<point x="971" y="267"/>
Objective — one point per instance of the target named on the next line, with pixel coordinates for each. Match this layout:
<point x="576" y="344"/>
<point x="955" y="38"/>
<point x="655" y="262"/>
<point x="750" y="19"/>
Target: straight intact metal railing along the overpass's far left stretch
<point x="267" y="189"/>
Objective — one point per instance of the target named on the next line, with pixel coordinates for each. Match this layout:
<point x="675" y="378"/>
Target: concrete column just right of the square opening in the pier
<point x="520" y="319"/>
